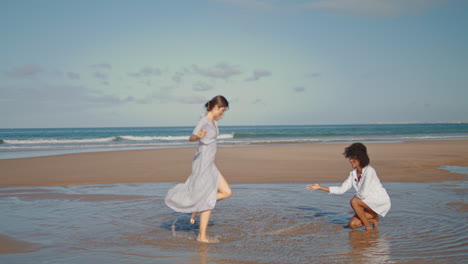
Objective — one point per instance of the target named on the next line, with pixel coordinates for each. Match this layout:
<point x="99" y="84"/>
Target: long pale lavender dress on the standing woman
<point x="199" y="192"/>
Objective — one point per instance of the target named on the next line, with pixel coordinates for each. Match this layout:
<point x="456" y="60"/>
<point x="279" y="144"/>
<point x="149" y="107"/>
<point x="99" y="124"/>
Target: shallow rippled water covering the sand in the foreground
<point x="277" y="223"/>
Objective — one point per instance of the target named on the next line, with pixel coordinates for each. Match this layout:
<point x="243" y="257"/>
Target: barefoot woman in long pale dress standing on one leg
<point x="206" y="184"/>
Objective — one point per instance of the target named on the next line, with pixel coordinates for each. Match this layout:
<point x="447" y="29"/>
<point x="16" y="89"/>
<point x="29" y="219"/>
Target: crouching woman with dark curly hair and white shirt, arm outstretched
<point x="371" y="199"/>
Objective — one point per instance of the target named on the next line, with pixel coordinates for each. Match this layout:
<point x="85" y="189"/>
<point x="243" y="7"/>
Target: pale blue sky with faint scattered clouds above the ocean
<point x="116" y="63"/>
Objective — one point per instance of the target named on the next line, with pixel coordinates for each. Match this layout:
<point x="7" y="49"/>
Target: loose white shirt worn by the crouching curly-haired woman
<point x="369" y="190"/>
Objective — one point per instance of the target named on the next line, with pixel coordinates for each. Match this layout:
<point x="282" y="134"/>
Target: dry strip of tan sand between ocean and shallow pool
<point x="418" y="161"/>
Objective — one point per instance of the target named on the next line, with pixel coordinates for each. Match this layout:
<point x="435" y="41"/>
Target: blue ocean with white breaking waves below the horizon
<point x="35" y="142"/>
